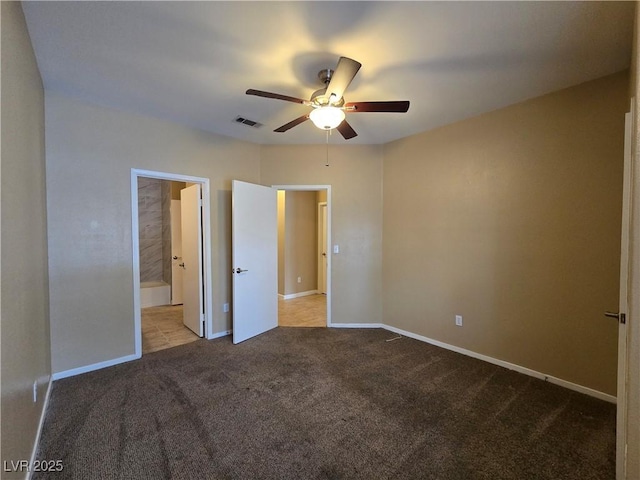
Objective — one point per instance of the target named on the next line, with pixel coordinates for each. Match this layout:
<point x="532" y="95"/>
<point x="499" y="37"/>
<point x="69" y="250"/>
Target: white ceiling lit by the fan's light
<point x="191" y="62"/>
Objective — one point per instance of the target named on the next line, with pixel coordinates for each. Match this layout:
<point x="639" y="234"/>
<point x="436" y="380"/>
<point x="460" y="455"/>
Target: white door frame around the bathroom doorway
<point x="206" y="249"/>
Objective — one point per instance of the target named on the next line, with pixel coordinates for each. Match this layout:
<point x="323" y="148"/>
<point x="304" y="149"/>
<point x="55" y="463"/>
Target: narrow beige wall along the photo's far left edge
<point x="24" y="292"/>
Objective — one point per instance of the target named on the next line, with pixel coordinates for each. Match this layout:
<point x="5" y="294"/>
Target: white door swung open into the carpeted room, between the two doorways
<point x="255" y="259"/>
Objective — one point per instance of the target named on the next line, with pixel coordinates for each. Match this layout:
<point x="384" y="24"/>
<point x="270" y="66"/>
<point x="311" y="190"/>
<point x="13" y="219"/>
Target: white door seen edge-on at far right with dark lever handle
<point x="622" y="408"/>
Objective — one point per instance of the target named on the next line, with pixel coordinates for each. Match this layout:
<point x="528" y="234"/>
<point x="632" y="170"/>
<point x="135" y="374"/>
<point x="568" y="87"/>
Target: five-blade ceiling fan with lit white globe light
<point x="329" y="107"/>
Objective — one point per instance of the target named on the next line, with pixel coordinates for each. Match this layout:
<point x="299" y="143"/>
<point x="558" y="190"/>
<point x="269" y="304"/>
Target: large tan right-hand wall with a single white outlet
<point x="512" y="219"/>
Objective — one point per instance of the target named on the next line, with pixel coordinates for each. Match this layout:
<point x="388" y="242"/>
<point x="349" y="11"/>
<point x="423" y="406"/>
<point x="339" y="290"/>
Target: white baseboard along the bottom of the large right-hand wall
<point x="511" y="366"/>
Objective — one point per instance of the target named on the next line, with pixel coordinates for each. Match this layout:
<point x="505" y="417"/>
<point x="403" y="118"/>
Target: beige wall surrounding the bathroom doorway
<point x="90" y="153"/>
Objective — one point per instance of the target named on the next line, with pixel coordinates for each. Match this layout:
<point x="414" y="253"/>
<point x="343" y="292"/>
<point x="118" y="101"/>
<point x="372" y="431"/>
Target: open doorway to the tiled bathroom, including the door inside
<point x="170" y="233"/>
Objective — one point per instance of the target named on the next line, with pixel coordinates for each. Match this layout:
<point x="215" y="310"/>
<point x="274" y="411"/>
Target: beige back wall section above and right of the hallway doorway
<point x="355" y="176"/>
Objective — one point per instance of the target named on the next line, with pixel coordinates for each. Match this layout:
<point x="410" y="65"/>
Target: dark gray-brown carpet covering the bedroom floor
<point x="307" y="403"/>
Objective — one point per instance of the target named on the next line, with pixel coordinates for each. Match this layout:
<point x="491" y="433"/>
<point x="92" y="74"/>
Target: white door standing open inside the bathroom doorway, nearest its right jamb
<point x="192" y="291"/>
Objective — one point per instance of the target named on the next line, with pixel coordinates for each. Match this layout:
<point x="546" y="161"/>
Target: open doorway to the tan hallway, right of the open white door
<point x="303" y="256"/>
